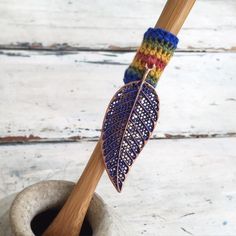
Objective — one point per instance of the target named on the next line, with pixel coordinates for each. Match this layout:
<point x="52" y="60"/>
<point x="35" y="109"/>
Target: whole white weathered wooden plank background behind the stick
<point x="60" y="63"/>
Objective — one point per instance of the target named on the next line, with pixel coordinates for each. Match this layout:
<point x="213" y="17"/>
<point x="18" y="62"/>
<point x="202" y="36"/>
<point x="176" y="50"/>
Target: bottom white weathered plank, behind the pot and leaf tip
<point x="177" y="187"/>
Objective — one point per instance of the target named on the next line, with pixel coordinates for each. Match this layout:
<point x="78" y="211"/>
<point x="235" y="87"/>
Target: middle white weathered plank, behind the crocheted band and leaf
<point x="58" y="97"/>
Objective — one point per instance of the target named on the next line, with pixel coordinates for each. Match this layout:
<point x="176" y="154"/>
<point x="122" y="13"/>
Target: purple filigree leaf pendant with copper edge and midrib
<point x="130" y="118"/>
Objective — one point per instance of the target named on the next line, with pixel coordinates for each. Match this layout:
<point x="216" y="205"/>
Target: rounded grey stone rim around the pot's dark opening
<point x="53" y="193"/>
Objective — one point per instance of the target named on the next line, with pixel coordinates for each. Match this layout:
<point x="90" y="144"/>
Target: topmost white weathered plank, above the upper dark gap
<point x="106" y="24"/>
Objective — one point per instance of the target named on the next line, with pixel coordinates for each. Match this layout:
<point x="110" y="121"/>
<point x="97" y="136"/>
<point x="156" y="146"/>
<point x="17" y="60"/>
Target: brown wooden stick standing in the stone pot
<point x="69" y="221"/>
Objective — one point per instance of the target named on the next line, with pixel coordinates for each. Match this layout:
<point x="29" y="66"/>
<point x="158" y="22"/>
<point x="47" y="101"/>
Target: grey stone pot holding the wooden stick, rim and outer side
<point x="46" y="196"/>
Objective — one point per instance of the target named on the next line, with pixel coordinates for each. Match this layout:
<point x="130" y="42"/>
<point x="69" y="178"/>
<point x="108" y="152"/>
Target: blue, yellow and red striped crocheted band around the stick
<point x="157" y="48"/>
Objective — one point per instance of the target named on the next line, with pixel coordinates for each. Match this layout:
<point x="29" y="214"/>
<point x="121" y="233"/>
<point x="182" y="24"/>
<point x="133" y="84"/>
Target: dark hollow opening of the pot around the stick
<point x="41" y="222"/>
